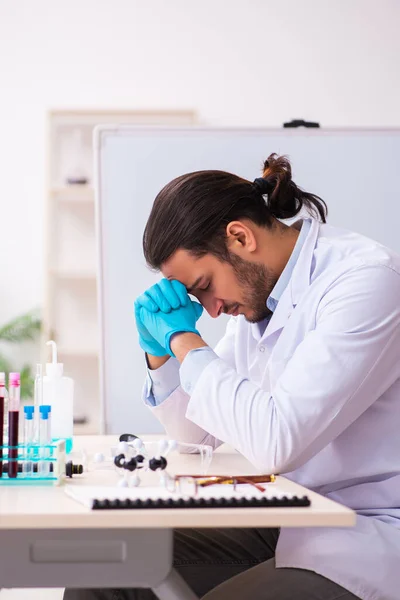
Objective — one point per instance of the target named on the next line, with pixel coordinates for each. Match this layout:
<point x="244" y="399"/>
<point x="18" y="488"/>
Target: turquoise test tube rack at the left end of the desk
<point x="35" y="464"/>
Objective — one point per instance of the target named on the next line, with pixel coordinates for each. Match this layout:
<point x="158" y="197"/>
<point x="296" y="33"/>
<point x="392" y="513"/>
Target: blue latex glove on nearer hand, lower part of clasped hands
<point x="162" y="326"/>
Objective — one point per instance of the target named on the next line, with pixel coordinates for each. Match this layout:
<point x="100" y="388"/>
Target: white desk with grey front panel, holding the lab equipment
<point x="50" y="540"/>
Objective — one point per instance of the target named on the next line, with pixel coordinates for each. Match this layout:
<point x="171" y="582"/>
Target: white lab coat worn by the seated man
<point x="317" y="397"/>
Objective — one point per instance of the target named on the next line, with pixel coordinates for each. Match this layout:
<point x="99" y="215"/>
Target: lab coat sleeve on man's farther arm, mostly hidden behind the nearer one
<point x="171" y="412"/>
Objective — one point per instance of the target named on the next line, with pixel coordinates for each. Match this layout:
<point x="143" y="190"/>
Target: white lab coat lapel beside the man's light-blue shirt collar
<point x="299" y="282"/>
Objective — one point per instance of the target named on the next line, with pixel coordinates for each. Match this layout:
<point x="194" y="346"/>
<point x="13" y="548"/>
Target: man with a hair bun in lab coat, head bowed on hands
<point x="306" y="381"/>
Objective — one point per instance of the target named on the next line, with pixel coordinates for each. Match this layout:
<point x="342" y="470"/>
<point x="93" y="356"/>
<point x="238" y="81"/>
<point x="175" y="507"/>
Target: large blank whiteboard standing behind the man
<point x="354" y="171"/>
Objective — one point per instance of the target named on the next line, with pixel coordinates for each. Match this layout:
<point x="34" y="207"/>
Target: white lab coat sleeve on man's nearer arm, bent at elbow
<point x="336" y="372"/>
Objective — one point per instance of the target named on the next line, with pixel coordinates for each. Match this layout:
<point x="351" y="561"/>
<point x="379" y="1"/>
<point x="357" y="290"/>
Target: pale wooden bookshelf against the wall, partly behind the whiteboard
<point x="70" y="296"/>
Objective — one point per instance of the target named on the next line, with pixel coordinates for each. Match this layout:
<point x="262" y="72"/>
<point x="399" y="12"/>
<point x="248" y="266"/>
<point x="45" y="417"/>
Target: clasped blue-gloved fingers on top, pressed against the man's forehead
<point x="165" y="295"/>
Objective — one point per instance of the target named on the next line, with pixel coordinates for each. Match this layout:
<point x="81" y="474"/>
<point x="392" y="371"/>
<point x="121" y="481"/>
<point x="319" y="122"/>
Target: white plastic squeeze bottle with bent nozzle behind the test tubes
<point x="58" y="392"/>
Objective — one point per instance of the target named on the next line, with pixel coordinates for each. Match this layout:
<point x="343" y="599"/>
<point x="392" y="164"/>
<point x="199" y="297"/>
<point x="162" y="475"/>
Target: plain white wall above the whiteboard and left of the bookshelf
<point x="239" y="62"/>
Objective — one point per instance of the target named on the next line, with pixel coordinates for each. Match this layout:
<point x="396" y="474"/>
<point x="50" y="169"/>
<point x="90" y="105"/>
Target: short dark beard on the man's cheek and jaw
<point x="257" y="283"/>
